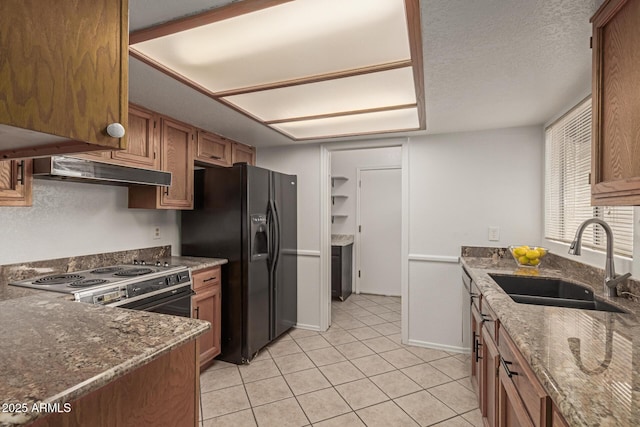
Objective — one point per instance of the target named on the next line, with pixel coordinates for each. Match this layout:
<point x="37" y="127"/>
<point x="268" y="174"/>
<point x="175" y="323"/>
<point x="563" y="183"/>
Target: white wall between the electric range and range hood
<point x="69" y="218"/>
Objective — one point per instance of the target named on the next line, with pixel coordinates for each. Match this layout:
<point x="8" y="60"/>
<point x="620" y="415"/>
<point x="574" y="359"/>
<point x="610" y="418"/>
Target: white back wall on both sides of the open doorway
<point x="459" y="184"/>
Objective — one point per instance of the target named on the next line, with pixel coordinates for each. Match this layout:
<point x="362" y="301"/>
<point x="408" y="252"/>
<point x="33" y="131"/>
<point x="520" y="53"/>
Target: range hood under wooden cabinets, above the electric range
<point x="82" y="170"/>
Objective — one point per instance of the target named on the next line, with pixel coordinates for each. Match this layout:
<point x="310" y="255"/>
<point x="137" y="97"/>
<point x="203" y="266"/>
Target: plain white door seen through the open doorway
<point x="380" y="218"/>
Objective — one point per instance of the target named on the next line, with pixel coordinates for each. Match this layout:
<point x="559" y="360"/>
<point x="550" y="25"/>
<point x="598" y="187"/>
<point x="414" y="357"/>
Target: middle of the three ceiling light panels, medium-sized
<point x="361" y="92"/>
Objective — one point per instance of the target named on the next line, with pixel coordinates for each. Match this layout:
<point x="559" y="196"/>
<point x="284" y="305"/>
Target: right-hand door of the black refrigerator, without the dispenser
<point x="285" y="298"/>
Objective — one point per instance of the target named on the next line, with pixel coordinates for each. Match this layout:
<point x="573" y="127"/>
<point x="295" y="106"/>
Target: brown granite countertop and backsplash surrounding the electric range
<point x="54" y="350"/>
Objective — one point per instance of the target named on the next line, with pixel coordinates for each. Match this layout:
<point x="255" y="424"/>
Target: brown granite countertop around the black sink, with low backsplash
<point x="594" y="380"/>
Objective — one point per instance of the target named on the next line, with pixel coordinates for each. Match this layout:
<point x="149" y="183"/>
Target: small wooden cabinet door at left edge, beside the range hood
<point x="15" y="183"/>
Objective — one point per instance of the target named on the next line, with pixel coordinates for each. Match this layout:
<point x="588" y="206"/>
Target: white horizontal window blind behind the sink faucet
<point x="567" y="188"/>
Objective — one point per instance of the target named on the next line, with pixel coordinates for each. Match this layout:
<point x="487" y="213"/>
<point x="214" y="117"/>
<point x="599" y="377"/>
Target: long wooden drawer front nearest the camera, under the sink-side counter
<point x="534" y="397"/>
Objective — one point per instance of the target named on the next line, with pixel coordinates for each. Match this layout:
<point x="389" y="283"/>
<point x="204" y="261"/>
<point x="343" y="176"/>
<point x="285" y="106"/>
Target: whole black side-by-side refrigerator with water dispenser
<point x="247" y="215"/>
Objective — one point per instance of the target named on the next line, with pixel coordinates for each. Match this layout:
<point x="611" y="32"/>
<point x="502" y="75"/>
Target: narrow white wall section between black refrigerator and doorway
<point x="303" y="161"/>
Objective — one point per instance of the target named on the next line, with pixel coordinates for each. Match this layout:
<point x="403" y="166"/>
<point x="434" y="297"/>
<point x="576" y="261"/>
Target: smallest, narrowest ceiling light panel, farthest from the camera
<point x="382" y="121"/>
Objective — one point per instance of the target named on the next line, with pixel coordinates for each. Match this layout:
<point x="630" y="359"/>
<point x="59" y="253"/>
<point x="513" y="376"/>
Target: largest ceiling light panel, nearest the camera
<point x="290" y="41"/>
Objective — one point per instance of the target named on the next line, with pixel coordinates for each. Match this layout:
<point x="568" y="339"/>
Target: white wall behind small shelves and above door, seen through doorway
<point x="345" y="163"/>
